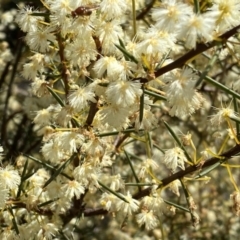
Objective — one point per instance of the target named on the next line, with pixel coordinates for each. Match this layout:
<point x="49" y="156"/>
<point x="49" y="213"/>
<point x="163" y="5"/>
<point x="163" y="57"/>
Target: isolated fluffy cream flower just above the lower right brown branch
<point x="174" y="158"/>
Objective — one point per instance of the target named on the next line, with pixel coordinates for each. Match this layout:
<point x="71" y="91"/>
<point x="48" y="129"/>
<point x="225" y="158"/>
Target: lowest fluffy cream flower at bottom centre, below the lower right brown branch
<point x="147" y="218"/>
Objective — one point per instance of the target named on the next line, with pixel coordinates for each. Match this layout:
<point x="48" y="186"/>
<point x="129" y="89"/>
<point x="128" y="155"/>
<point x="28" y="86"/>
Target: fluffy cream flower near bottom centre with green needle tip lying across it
<point x="128" y="207"/>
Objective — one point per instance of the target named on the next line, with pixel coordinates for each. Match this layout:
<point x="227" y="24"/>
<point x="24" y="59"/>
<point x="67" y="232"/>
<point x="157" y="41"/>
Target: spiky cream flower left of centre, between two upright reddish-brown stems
<point x="79" y="99"/>
